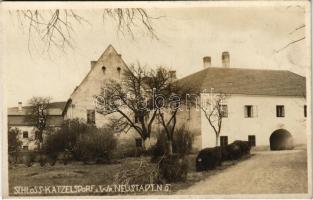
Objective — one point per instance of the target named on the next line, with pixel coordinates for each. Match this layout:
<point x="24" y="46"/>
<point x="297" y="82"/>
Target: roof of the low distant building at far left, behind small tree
<point x="55" y="108"/>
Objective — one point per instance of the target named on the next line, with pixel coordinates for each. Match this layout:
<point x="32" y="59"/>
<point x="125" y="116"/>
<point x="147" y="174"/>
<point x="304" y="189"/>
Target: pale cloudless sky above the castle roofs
<point x="250" y="34"/>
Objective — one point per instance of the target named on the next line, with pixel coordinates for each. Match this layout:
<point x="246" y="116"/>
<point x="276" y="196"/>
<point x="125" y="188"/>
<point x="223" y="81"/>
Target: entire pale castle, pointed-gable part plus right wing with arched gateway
<point x="260" y="102"/>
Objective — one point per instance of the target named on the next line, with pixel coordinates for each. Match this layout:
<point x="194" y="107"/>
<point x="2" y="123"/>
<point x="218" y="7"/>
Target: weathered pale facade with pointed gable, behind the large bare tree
<point x="81" y="104"/>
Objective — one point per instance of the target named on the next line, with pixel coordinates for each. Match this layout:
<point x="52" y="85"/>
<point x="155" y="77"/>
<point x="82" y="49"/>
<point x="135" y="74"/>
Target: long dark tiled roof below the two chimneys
<point x="246" y="81"/>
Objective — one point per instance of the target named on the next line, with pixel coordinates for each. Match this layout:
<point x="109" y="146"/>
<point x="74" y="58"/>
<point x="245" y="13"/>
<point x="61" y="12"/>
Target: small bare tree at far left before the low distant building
<point x="39" y="116"/>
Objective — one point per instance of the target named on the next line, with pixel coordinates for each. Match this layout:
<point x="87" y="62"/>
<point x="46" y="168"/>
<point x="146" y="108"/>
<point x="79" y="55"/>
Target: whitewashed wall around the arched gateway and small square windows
<point x="236" y="126"/>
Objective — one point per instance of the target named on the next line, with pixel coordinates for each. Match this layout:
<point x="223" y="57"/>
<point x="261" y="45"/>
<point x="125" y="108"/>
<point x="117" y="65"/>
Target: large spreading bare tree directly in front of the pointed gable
<point x="132" y="99"/>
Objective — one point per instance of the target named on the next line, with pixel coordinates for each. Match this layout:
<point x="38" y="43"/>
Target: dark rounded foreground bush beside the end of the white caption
<point x="173" y="168"/>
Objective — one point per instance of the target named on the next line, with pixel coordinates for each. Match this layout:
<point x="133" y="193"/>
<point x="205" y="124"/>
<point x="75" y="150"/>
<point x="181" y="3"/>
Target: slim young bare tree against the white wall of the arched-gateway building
<point x="214" y="111"/>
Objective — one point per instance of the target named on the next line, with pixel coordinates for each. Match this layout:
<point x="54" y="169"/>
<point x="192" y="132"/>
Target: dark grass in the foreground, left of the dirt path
<point x="77" y="173"/>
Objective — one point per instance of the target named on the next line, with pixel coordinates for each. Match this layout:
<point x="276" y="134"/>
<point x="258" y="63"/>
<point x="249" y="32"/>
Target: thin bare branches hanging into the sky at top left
<point x="55" y="27"/>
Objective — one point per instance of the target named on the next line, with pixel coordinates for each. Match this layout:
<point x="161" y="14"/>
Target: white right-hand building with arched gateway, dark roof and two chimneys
<point x="259" y="102"/>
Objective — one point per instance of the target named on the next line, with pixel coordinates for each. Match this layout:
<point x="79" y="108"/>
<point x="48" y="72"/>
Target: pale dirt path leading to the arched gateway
<point x="266" y="172"/>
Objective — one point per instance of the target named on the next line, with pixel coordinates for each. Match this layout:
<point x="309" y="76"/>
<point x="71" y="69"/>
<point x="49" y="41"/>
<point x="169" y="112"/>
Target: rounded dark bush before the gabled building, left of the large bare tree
<point x="96" y="146"/>
